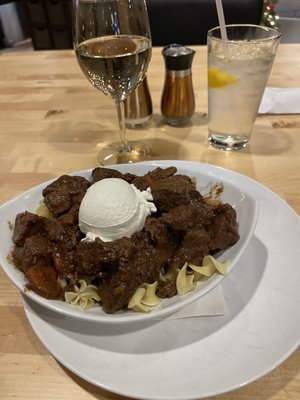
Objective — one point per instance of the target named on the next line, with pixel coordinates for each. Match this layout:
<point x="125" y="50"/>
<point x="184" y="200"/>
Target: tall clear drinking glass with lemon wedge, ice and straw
<point x="238" y="70"/>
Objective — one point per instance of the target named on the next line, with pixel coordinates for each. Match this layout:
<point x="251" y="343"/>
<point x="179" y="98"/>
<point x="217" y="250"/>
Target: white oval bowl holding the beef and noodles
<point x="206" y="175"/>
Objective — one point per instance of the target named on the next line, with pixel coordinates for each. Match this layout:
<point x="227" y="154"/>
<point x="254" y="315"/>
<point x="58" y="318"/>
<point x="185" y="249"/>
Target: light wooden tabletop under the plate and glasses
<point x="53" y="121"/>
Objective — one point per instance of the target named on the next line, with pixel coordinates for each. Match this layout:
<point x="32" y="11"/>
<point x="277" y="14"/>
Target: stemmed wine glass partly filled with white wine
<point x="112" y="42"/>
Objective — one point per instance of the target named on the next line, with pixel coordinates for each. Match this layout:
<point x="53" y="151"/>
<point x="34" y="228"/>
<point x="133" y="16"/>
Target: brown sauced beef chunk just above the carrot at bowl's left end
<point x="37" y="250"/>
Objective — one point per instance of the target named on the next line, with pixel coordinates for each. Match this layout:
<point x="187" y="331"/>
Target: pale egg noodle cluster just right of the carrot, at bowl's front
<point x="85" y="295"/>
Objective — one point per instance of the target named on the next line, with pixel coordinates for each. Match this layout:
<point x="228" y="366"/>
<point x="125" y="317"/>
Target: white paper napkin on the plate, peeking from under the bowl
<point x="212" y="304"/>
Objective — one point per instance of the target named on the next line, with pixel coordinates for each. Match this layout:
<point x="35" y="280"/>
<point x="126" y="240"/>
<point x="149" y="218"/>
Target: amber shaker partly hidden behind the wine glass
<point x="138" y="107"/>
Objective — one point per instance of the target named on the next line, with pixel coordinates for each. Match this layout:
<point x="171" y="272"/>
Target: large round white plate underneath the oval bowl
<point x="197" y="357"/>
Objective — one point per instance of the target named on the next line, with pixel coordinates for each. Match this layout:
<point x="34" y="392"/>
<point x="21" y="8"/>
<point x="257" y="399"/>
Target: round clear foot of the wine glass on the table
<point x="132" y="153"/>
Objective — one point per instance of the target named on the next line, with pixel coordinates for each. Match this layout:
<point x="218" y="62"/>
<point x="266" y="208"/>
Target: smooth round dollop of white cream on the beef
<point x="112" y="208"/>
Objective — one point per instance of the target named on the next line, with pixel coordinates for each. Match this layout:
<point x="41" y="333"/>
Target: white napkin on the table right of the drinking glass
<point x="280" y="101"/>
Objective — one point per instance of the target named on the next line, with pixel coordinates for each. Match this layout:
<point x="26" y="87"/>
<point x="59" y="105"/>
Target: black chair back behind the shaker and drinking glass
<point x="187" y="21"/>
